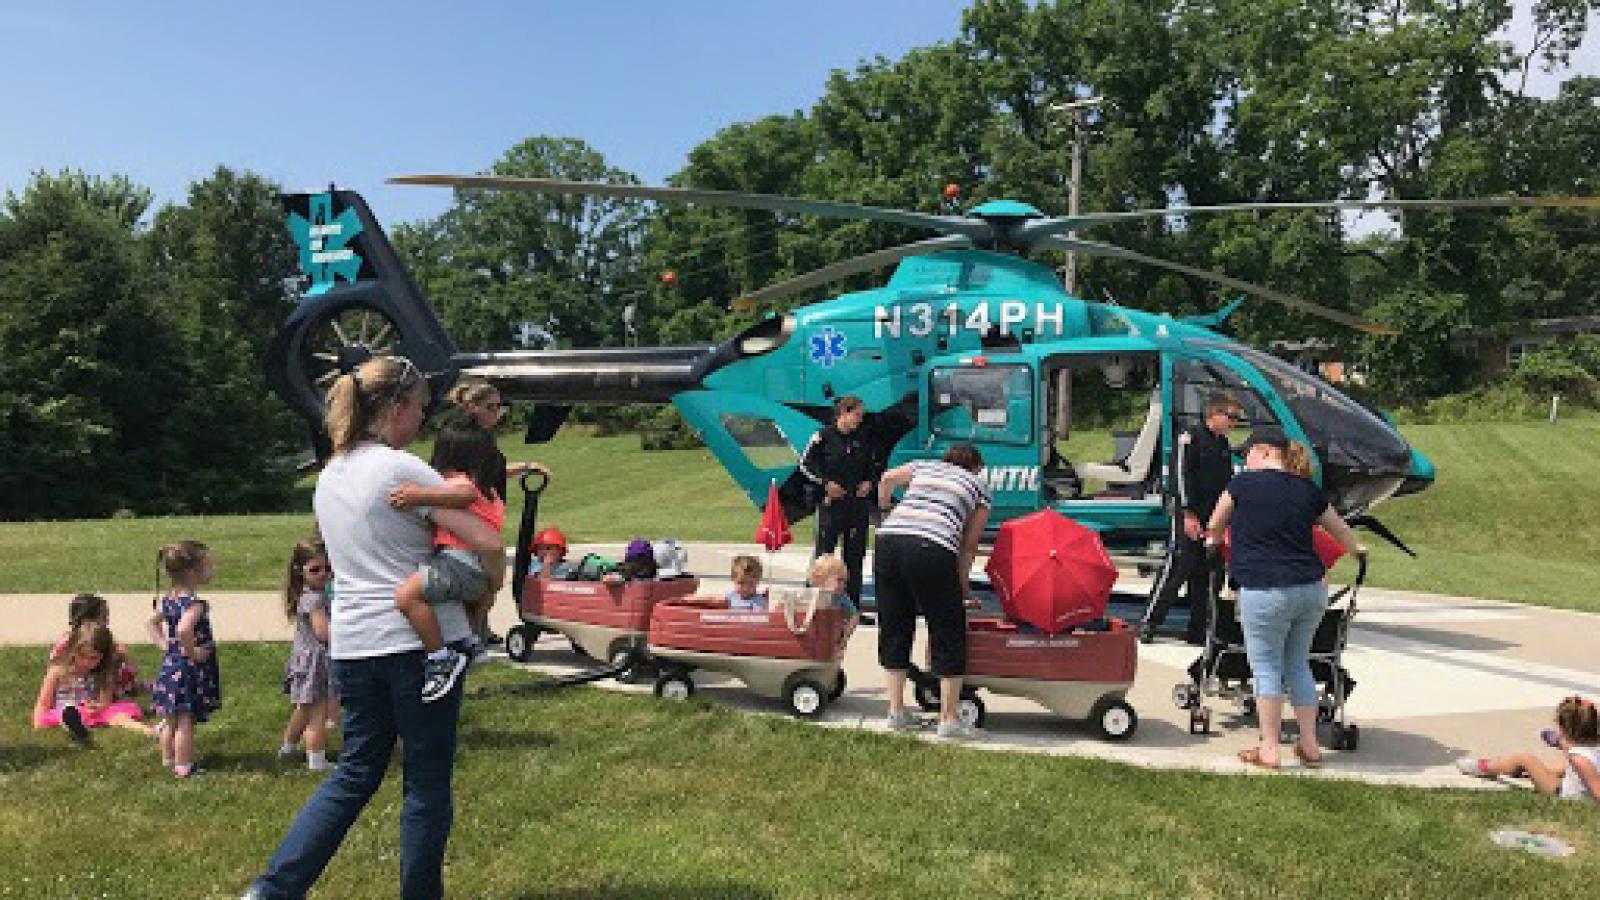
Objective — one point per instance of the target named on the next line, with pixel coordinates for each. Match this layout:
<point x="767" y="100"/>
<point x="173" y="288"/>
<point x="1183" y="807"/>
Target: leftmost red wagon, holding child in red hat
<point x="604" y="621"/>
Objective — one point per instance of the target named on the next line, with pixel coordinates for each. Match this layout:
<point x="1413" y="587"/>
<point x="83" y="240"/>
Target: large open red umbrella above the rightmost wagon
<point x="1050" y="571"/>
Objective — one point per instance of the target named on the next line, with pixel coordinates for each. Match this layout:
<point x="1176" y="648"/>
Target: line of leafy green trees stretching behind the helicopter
<point x="134" y="340"/>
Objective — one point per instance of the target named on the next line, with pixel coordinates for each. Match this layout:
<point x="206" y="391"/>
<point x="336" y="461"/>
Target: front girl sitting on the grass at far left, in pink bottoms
<point x="79" y="688"/>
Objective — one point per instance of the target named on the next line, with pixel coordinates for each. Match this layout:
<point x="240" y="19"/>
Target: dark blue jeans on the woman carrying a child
<point x="382" y="701"/>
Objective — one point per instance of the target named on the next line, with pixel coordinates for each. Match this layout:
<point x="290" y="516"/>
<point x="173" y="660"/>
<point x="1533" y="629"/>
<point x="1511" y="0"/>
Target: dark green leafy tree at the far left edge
<point x="90" y="366"/>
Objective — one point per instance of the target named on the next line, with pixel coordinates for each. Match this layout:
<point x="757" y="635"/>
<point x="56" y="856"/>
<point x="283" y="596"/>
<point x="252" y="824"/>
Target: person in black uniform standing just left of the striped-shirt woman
<point x="844" y="465"/>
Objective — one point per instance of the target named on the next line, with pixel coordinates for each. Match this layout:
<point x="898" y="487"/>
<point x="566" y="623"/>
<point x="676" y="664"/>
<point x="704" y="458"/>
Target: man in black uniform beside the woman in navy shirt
<point x="1204" y="465"/>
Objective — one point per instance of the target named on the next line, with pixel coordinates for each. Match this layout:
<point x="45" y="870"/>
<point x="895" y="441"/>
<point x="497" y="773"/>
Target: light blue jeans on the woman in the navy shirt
<point x="1279" y="629"/>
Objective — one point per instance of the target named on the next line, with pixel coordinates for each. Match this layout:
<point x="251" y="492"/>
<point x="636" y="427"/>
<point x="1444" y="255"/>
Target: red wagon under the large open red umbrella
<point x="1078" y="675"/>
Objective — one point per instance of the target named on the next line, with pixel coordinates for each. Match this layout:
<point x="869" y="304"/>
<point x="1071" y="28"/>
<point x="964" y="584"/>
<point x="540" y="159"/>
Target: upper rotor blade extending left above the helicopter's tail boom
<point x="975" y="230"/>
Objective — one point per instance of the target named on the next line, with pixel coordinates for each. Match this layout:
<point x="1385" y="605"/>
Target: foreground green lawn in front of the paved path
<point x="591" y="794"/>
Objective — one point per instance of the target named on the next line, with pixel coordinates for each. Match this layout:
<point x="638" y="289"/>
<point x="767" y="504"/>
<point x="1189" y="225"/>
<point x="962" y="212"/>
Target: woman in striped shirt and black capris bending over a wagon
<point x="924" y="553"/>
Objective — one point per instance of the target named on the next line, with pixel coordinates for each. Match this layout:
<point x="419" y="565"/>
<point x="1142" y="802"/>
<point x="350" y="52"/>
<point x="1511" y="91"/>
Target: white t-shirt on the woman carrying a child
<point x="375" y="548"/>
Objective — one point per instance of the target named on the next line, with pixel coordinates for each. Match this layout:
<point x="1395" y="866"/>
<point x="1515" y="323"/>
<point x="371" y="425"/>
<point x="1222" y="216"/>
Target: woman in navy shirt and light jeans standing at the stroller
<point x="1282" y="585"/>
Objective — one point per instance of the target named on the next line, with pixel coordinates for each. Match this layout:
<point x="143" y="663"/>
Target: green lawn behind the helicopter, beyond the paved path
<point x="1510" y="518"/>
